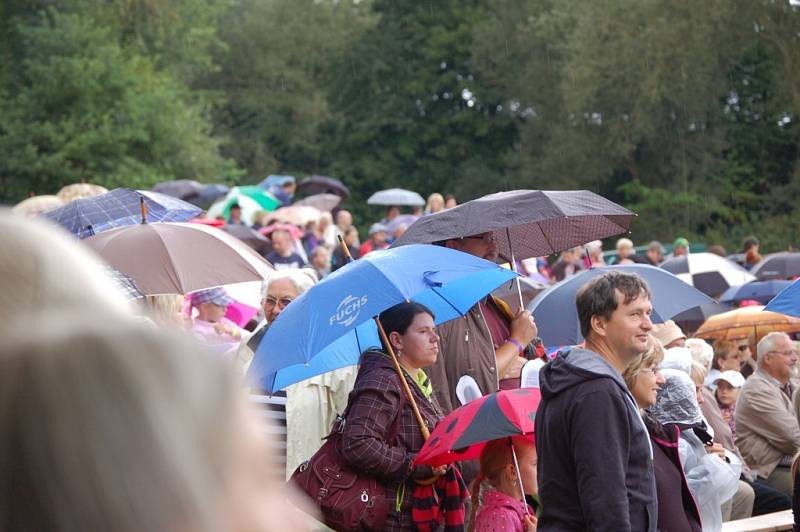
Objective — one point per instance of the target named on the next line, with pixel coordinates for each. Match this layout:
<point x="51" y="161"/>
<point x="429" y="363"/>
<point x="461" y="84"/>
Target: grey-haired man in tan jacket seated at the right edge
<point x="767" y="431"/>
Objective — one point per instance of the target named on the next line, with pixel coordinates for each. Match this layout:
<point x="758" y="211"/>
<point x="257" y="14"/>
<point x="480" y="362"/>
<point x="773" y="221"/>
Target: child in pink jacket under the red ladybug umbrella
<point x="503" y="508"/>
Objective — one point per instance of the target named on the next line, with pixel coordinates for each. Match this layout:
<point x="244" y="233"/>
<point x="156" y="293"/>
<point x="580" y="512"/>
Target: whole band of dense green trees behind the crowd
<point x="686" y="112"/>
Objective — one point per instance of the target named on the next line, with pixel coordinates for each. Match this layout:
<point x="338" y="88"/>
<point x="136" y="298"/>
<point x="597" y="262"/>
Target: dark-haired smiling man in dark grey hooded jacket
<point x="595" y="466"/>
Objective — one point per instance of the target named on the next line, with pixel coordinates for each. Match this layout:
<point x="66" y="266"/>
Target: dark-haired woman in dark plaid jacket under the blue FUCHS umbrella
<point x="378" y="398"/>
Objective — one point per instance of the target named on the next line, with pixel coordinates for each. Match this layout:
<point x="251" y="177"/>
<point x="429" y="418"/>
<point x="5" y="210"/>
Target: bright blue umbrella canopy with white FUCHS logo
<point x="329" y="325"/>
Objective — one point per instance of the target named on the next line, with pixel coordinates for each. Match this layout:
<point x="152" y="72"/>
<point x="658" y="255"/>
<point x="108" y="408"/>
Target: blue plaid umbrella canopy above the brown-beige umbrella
<point x="120" y="207"/>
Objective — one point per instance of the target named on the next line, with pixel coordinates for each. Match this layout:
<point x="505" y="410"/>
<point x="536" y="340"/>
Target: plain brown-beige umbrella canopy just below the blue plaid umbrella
<point x="178" y="258"/>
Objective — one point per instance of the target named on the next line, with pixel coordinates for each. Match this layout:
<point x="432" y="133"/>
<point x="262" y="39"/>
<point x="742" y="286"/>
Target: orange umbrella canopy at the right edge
<point x="746" y="321"/>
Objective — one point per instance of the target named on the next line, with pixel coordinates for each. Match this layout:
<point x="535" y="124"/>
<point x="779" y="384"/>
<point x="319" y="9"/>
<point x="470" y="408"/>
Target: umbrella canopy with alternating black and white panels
<point x="709" y="273"/>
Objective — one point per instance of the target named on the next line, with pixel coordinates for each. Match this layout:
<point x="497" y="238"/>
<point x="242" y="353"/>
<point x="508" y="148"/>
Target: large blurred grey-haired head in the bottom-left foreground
<point x="108" y="426"/>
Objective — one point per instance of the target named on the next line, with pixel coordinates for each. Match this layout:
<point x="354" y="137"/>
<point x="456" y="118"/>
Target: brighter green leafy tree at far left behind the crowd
<point x="83" y="108"/>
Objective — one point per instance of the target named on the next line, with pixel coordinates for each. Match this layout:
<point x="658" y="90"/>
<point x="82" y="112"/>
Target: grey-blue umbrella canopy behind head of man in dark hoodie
<point x="557" y="317"/>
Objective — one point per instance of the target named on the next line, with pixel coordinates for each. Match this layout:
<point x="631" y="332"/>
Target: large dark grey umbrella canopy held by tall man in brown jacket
<point x="535" y="222"/>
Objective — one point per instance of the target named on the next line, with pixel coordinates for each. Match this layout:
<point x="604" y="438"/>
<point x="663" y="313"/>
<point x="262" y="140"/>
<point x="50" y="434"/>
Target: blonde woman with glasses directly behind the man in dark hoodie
<point x="677" y="509"/>
